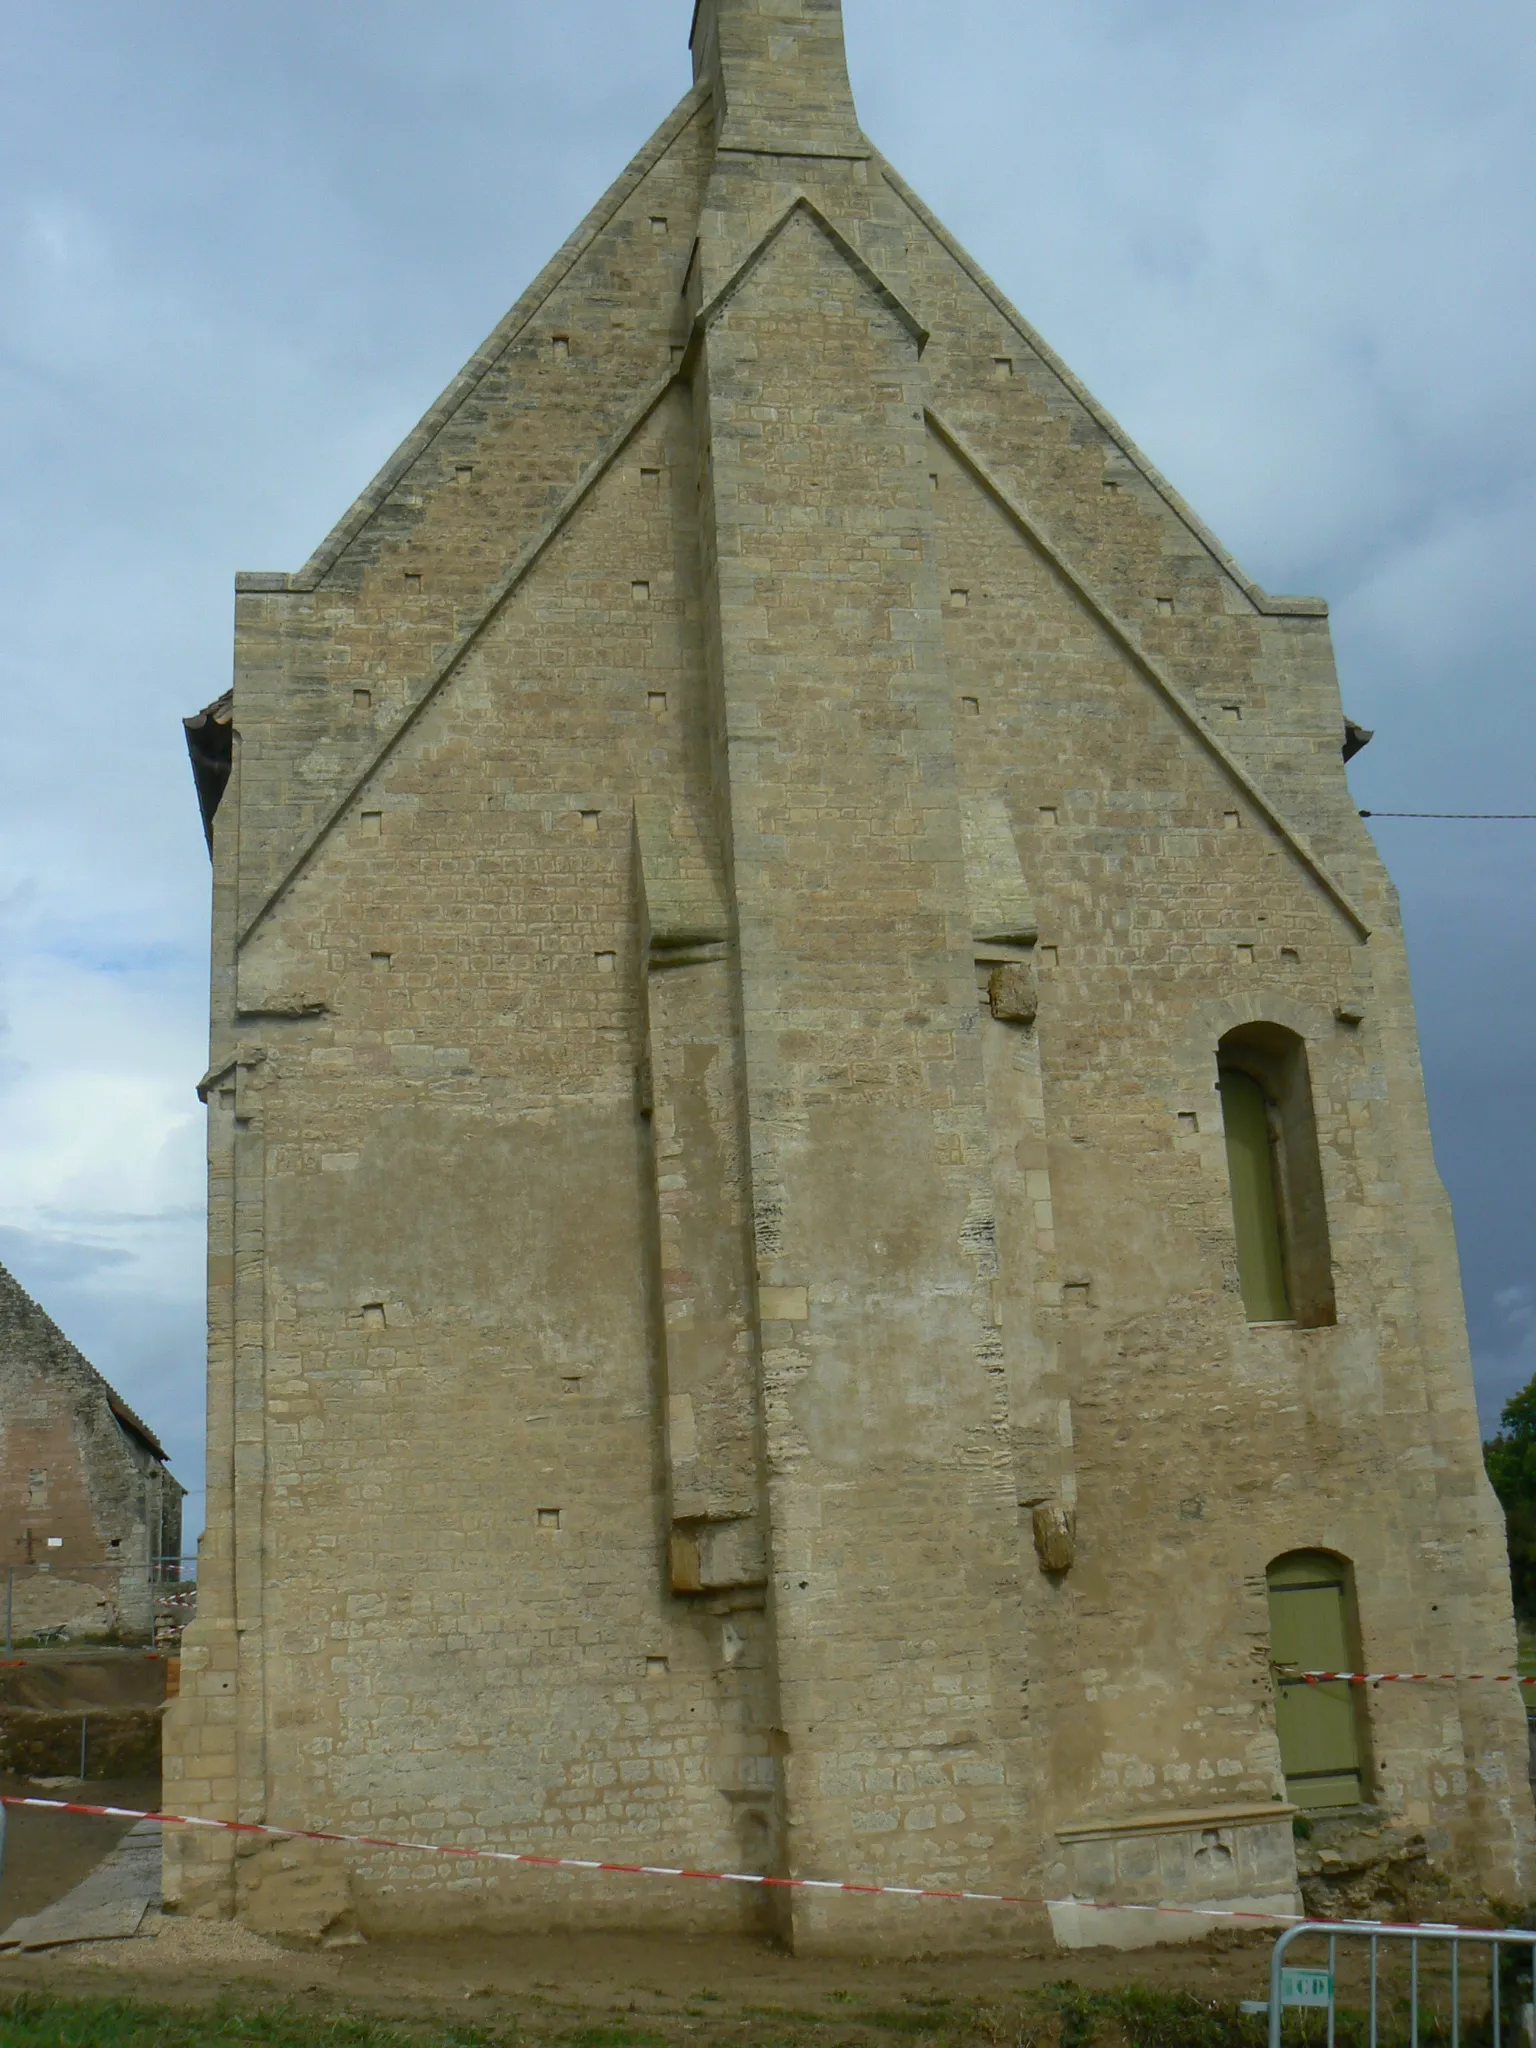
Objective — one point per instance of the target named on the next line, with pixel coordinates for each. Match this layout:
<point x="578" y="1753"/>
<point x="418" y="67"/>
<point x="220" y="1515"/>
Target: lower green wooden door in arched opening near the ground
<point x="1320" y="1725"/>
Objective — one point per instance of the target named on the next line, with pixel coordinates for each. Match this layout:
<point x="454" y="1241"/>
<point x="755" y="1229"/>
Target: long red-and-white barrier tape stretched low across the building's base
<point x="703" y="1877"/>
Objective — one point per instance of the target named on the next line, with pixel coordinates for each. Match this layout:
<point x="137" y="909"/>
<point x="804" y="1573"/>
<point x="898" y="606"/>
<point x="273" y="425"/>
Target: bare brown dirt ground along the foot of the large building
<point x="550" y="1986"/>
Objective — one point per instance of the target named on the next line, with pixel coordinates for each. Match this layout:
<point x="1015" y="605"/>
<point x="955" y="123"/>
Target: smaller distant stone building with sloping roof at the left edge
<point x="89" y="1512"/>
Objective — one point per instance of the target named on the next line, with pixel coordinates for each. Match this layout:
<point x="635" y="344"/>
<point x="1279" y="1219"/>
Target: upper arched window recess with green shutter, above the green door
<point x="1277" y="1177"/>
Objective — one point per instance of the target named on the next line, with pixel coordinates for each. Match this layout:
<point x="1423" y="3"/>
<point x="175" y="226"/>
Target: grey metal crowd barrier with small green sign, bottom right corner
<point x="1508" y="2020"/>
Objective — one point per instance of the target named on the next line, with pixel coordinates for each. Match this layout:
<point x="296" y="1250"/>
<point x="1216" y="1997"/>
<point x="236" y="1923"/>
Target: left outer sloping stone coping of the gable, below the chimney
<point x="372" y="501"/>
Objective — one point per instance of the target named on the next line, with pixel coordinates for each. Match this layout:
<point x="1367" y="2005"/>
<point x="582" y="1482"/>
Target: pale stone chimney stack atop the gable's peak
<point x="781" y="77"/>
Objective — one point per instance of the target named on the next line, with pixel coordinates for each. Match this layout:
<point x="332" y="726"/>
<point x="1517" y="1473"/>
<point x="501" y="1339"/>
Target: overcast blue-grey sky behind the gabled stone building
<point x="245" y="247"/>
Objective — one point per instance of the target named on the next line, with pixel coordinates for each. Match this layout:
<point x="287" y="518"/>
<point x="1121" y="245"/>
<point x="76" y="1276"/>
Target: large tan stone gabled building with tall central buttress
<point x="824" y="1234"/>
